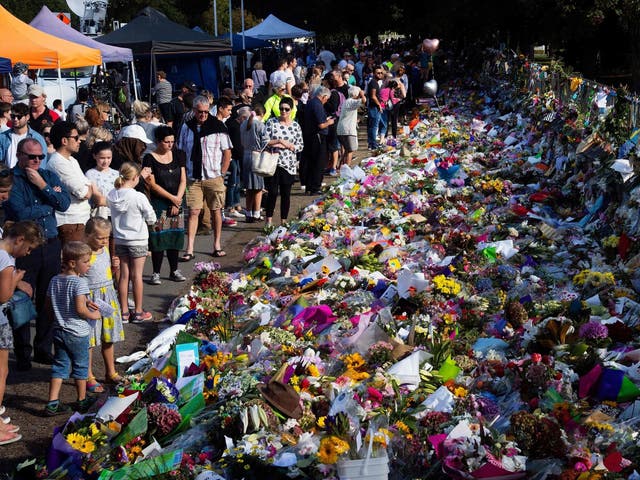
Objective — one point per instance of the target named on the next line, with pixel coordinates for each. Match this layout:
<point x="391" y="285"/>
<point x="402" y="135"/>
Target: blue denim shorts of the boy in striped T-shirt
<point x="70" y="356"/>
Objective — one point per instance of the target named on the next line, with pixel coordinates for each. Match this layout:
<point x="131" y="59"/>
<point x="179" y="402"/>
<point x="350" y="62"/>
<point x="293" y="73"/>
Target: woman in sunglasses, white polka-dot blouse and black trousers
<point x="285" y="136"/>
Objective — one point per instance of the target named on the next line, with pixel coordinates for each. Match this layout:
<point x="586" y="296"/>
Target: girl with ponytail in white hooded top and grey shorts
<point x="130" y="214"/>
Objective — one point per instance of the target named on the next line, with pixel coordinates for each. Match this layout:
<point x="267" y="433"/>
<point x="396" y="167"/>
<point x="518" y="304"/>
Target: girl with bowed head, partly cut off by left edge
<point x="19" y="239"/>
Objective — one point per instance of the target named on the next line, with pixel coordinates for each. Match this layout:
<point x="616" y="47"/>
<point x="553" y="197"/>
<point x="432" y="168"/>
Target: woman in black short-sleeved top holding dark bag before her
<point x="167" y="185"/>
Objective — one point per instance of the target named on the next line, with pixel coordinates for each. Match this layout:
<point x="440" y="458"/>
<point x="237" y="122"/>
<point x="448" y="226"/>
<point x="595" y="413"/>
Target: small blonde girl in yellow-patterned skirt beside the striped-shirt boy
<point x="108" y="330"/>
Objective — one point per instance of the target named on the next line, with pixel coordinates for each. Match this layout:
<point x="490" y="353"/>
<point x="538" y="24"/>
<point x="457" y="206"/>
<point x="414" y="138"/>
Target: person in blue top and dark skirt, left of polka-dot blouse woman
<point x="252" y="138"/>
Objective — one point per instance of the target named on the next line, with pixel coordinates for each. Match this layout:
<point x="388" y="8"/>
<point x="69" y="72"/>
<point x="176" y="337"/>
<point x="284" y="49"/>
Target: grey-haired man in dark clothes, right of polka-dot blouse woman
<point x="315" y="139"/>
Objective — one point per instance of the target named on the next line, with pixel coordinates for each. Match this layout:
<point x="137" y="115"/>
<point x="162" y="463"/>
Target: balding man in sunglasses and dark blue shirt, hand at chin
<point x="36" y="195"/>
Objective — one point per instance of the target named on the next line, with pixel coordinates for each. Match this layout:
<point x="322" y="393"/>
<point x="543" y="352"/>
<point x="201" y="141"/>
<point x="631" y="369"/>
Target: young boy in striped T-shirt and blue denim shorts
<point x="71" y="311"/>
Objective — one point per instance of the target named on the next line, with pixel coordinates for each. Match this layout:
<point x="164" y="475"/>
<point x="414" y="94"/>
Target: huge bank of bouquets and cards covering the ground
<point x="462" y="305"/>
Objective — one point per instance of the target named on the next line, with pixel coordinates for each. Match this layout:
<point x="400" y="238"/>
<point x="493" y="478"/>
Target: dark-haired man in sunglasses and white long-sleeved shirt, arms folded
<point x="65" y="139"/>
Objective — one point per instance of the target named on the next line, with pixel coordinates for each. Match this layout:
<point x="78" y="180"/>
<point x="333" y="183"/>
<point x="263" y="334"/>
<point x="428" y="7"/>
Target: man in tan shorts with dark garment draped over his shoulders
<point x="206" y="141"/>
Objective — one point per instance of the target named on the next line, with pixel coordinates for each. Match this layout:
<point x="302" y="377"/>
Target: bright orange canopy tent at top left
<point x="23" y="43"/>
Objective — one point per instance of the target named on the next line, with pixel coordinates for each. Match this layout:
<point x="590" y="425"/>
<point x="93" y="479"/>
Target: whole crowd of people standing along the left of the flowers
<point x="85" y="204"/>
